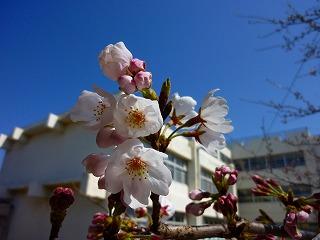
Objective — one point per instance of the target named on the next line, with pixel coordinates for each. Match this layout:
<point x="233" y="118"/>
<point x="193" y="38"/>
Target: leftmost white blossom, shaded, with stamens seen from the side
<point x="93" y="110"/>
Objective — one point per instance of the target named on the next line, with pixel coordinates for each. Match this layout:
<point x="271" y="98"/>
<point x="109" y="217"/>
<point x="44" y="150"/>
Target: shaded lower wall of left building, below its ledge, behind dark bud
<point x="30" y="219"/>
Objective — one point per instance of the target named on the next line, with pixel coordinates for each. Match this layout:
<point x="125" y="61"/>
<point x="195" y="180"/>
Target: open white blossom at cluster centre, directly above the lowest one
<point x="136" y="116"/>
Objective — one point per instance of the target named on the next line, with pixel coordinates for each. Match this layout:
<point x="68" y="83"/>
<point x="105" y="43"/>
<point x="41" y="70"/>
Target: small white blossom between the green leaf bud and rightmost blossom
<point x="183" y="107"/>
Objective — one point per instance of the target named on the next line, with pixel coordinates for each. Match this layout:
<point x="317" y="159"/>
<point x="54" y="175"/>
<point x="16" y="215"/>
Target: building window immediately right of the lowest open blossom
<point x="178" y="168"/>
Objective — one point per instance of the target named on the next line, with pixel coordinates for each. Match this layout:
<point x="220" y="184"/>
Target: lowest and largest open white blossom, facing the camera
<point x="137" y="171"/>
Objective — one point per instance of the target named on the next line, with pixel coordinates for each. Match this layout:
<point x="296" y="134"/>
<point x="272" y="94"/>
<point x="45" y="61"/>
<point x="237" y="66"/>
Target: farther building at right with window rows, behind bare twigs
<point x="289" y="157"/>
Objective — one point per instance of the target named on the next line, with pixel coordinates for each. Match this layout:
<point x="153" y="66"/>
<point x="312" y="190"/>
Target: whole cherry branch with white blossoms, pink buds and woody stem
<point x="132" y="172"/>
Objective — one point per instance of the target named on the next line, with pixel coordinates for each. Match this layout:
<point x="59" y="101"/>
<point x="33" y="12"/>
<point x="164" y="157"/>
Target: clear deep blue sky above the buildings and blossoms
<point x="49" y="54"/>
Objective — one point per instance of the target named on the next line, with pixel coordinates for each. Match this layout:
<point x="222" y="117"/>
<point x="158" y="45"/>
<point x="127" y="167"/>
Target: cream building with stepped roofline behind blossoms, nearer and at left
<point x="49" y="154"/>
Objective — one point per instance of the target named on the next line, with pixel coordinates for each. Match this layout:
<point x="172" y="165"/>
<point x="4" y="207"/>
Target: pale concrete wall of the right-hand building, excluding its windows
<point x="257" y="147"/>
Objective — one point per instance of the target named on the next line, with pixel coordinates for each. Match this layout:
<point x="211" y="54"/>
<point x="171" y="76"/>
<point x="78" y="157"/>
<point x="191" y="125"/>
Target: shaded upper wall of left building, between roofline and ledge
<point x="54" y="156"/>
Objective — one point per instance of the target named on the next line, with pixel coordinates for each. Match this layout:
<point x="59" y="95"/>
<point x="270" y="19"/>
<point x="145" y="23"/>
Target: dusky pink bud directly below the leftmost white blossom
<point x="108" y="137"/>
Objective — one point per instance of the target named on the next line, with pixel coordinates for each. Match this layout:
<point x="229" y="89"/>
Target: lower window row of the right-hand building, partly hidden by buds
<point x="245" y="195"/>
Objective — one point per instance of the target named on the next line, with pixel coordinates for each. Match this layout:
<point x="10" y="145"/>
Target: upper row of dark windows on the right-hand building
<point x="276" y="161"/>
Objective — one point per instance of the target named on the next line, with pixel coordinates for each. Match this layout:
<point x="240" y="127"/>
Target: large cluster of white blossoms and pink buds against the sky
<point x="124" y="119"/>
